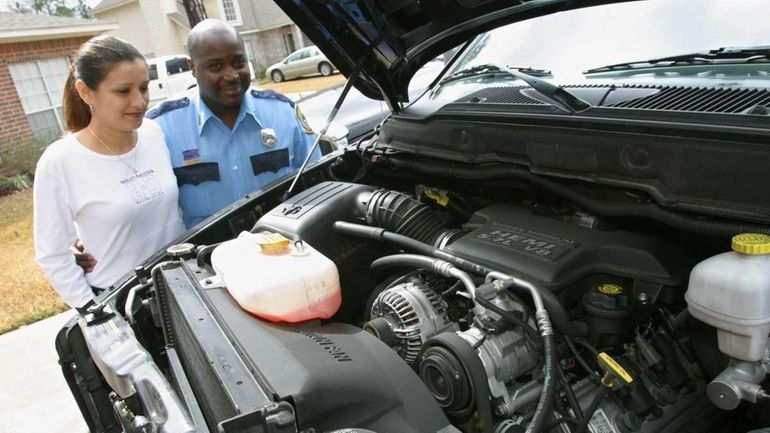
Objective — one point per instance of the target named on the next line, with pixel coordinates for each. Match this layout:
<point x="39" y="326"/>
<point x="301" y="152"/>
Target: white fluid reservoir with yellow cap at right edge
<point x="731" y="292"/>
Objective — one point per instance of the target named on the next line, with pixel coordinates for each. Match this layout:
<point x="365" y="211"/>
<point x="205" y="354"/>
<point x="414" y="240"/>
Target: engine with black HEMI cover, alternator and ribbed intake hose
<point x="474" y="341"/>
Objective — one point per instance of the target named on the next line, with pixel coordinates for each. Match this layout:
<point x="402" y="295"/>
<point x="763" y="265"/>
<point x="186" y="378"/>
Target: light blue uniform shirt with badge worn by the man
<point x="216" y="165"/>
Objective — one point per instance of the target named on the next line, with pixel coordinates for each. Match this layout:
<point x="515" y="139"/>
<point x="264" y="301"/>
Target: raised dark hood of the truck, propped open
<point x="391" y="40"/>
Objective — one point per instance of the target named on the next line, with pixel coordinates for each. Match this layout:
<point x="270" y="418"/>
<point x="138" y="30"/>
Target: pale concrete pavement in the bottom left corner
<point x="33" y="394"/>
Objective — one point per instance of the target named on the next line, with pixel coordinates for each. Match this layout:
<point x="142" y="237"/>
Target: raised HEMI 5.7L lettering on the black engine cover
<point x="525" y="241"/>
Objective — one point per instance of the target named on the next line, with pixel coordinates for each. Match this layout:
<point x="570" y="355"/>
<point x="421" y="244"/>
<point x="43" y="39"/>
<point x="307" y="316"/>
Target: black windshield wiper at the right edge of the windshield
<point x="724" y="55"/>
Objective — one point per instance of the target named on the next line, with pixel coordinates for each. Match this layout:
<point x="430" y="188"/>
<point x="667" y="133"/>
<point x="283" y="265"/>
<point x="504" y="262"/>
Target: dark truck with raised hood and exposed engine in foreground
<point x="568" y="232"/>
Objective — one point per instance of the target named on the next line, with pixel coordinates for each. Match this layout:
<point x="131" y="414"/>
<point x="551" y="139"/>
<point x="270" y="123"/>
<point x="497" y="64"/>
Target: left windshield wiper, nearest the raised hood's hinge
<point x="560" y="97"/>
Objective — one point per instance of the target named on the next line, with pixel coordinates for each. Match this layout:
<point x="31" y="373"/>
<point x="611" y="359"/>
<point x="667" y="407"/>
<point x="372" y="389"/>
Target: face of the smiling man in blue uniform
<point x="221" y="69"/>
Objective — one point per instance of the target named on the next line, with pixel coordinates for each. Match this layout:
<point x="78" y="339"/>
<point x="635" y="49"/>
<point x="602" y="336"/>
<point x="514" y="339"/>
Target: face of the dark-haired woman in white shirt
<point x="121" y="99"/>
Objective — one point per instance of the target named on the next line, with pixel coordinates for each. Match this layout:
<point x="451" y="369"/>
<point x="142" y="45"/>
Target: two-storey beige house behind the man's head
<point x="160" y="27"/>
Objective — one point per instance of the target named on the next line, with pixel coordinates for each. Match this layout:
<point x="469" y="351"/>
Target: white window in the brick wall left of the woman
<point x="40" y="85"/>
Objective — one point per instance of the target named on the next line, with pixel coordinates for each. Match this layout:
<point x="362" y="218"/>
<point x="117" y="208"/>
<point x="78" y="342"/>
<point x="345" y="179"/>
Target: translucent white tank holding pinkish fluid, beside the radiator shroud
<point x="276" y="279"/>
